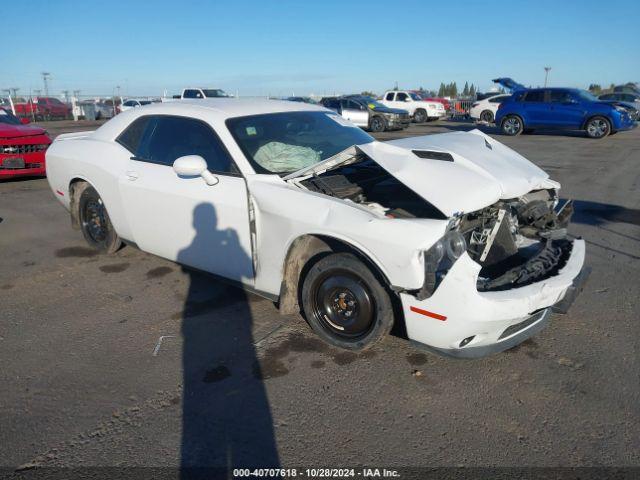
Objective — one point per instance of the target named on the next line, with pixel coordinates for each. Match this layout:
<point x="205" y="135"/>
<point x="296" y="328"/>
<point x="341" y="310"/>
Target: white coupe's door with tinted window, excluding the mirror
<point x="185" y="219"/>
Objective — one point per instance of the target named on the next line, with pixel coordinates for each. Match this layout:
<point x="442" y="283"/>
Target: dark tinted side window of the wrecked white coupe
<point x="169" y="138"/>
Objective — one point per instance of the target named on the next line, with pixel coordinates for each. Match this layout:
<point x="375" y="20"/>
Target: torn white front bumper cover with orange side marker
<point x="460" y="321"/>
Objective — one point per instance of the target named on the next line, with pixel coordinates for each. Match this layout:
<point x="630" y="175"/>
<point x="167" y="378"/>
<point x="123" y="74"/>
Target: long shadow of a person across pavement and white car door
<point x="226" y="417"/>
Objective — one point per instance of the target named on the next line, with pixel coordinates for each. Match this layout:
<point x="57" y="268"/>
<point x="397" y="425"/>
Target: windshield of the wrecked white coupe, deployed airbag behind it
<point x="286" y="142"/>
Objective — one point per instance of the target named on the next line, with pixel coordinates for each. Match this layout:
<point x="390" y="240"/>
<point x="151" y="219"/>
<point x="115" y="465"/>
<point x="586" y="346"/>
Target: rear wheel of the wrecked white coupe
<point x="95" y="223"/>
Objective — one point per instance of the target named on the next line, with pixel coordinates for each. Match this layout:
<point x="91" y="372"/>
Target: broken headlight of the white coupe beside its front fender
<point x="439" y="259"/>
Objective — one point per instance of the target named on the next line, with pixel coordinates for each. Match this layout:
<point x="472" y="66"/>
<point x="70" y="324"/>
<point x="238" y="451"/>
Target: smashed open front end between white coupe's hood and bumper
<point x="518" y="241"/>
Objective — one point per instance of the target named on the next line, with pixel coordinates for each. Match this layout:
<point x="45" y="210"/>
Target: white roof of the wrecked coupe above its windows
<point x="214" y="109"/>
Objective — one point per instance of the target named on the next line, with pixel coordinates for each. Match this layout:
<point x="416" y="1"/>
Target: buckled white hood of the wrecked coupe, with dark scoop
<point x="482" y="172"/>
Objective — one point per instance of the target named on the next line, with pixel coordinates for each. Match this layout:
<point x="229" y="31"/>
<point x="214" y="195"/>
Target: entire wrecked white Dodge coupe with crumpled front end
<point x="455" y="237"/>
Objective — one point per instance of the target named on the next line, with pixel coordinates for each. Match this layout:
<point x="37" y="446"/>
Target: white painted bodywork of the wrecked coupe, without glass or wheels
<point x="264" y="214"/>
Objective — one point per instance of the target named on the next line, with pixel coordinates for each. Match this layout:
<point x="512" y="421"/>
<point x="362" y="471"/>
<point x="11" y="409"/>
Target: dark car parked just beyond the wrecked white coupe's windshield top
<point x="367" y="112"/>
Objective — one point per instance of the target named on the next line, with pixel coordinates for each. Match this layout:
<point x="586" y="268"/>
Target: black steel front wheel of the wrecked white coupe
<point x="345" y="304"/>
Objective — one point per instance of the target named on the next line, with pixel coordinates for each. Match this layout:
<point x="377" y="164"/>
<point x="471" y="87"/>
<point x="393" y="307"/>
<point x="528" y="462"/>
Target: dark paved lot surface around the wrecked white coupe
<point x="103" y="363"/>
